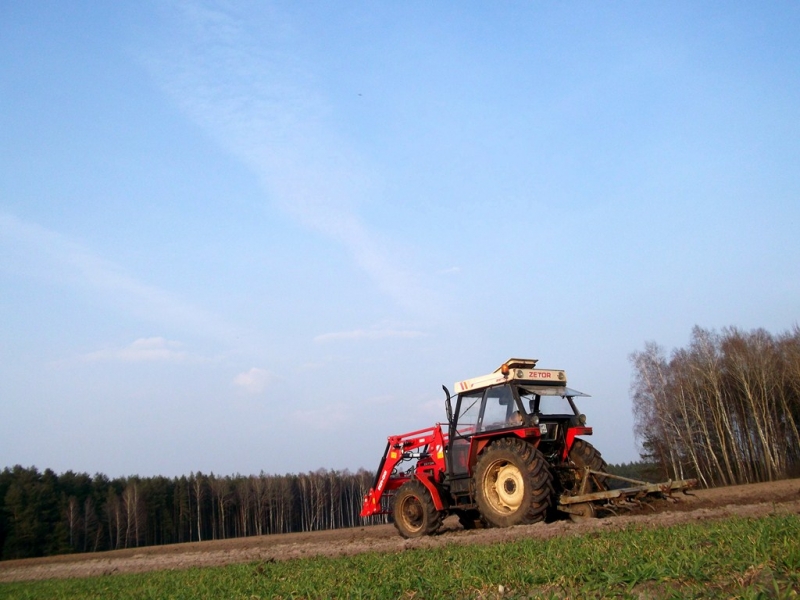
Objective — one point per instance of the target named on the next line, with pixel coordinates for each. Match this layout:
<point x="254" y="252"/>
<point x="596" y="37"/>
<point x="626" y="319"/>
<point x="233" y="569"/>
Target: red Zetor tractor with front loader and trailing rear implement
<point x="510" y="456"/>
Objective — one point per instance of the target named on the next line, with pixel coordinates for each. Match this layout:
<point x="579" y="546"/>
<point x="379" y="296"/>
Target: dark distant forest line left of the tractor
<point x="42" y="513"/>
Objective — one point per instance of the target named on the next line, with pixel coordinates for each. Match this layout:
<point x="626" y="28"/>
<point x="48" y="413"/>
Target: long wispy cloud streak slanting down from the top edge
<point x="243" y="81"/>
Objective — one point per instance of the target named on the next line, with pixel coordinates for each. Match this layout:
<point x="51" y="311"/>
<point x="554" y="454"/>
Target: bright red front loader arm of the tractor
<point x="430" y="445"/>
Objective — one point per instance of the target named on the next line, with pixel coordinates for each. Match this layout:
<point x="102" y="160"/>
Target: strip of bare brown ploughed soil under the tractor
<point x="751" y="500"/>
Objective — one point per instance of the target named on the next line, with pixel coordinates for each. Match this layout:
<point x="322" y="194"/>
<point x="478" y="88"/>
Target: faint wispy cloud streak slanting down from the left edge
<point x="32" y="250"/>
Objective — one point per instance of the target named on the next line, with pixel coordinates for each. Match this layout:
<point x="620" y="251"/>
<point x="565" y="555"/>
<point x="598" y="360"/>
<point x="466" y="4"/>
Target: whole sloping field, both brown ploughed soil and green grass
<point x="738" y="541"/>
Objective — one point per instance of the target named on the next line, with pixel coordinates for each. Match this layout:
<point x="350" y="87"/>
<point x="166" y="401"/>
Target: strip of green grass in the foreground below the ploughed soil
<point x="739" y="558"/>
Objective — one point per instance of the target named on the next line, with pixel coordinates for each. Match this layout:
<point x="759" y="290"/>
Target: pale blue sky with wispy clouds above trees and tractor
<point x="239" y="237"/>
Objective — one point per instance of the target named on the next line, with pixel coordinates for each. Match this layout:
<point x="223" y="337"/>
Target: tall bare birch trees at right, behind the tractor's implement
<point x="725" y="409"/>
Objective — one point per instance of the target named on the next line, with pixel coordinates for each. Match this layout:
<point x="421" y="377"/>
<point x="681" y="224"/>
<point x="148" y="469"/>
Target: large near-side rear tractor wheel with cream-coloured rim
<point x="513" y="483"/>
